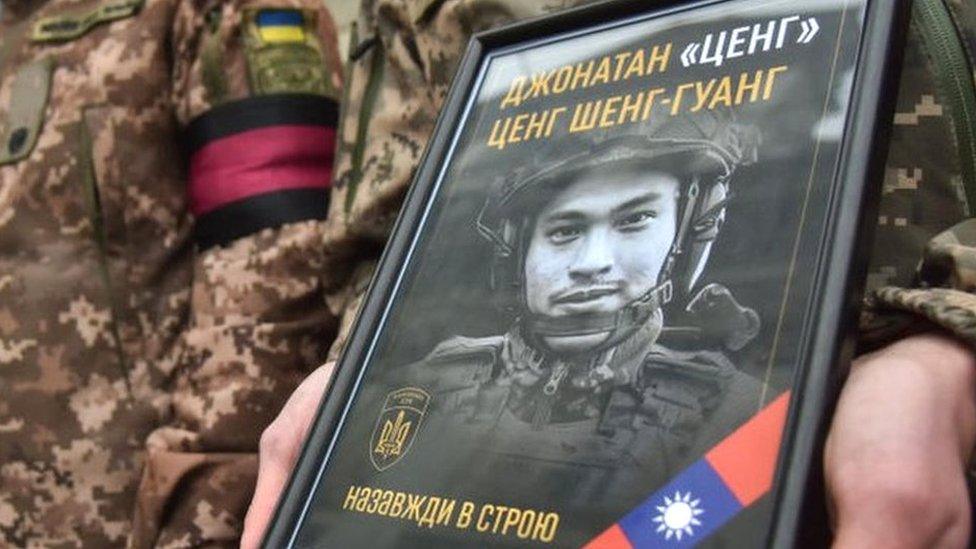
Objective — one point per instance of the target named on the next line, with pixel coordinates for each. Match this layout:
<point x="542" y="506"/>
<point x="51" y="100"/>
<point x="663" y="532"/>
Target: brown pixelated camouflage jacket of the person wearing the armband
<point x="137" y="369"/>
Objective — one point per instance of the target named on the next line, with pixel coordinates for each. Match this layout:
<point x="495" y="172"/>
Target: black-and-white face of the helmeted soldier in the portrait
<point x="598" y="245"/>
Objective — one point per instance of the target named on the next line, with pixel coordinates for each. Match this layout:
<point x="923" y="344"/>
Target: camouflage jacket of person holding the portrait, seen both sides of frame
<point x="403" y="55"/>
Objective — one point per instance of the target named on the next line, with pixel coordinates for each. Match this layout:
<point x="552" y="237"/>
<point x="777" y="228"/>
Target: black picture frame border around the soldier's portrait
<point x="824" y="345"/>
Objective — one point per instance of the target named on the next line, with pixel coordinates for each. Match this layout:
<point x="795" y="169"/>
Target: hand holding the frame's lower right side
<point x="899" y="445"/>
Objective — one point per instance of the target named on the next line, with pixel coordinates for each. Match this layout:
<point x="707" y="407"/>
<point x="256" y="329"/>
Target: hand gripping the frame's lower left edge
<point x="280" y="444"/>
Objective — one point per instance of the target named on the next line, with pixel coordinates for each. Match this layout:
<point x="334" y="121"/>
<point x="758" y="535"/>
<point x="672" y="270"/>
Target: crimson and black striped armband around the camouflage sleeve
<point x="259" y="163"/>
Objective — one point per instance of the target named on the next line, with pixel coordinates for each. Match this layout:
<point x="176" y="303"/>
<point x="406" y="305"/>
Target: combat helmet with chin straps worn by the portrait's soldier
<point x="702" y="149"/>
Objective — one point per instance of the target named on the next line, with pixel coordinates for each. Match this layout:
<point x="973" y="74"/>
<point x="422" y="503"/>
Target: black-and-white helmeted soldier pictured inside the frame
<point x="588" y="247"/>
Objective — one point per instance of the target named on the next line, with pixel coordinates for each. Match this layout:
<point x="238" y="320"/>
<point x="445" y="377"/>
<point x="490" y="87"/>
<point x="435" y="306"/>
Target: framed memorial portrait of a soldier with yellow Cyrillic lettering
<point x="615" y="307"/>
